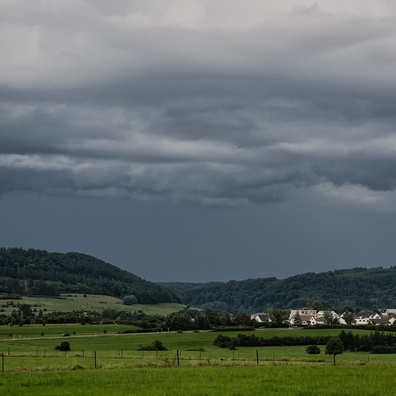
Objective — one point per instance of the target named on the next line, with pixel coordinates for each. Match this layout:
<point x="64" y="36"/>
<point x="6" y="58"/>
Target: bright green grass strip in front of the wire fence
<point x="233" y="381"/>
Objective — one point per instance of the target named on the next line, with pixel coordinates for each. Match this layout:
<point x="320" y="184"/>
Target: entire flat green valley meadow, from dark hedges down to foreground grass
<point x="109" y="363"/>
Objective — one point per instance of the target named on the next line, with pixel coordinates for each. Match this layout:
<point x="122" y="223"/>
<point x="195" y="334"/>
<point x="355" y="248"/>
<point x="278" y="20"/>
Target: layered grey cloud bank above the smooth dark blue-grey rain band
<point x="219" y="103"/>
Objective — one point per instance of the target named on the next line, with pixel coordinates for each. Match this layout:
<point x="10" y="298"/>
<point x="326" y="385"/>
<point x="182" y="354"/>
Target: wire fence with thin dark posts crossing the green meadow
<point x="45" y="360"/>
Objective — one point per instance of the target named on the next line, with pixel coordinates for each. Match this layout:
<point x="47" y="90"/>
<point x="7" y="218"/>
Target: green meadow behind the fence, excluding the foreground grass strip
<point x="29" y="349"/>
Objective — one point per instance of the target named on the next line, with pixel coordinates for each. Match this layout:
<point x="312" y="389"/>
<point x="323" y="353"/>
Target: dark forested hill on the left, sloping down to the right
<point x="38" y="272"/>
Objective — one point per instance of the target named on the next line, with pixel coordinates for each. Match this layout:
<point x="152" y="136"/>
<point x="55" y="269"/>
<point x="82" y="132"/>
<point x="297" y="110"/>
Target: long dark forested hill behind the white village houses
<point x="357" y="288"/>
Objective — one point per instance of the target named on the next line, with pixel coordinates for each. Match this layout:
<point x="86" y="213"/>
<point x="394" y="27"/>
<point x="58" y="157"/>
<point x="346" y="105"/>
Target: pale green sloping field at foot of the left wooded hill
<point x="86" y="302"/>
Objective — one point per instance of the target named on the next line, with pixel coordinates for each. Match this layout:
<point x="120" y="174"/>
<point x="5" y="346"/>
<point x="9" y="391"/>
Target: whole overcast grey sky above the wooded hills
<point x="200" y="140"/>
